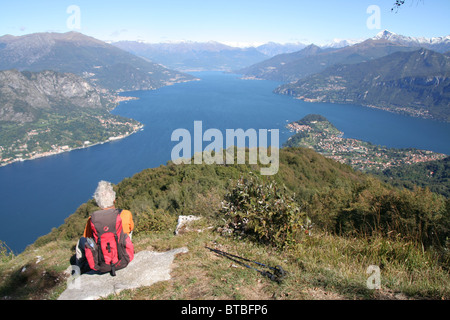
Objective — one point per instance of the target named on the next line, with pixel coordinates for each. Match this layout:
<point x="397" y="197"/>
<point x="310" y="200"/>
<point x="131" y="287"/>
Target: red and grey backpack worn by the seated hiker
<point x="111" y="249"/>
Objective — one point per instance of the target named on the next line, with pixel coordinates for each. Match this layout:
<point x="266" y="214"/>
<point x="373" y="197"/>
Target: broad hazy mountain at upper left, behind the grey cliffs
<point x="100" y="63"/>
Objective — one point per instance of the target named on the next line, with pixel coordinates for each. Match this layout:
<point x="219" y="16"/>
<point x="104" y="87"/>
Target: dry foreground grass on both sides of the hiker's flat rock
<point x="320" y="266"/>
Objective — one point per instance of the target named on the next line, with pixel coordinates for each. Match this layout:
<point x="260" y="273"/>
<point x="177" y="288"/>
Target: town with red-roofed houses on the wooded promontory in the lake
<point x="327" y="140"/>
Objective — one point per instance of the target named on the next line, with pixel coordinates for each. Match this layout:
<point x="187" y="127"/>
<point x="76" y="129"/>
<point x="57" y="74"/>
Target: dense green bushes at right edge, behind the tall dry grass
<point x="371" y="208"/>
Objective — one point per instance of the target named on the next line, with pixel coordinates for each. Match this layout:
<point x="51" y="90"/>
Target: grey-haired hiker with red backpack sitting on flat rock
<point x="106" y="243"/>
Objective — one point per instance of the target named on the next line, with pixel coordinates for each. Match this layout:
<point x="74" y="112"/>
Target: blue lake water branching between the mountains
<point x="37" y="195"/>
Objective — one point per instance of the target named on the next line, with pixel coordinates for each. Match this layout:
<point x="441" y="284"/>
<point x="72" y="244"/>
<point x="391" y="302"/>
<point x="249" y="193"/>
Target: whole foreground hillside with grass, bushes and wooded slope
<point x="321" y="220"/>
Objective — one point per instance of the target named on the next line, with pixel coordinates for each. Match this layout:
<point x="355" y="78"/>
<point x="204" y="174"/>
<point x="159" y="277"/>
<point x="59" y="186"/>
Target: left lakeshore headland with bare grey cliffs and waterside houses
<point x="47" y="113"/>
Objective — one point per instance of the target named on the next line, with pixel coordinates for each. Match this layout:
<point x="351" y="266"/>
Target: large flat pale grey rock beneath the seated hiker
<point x="146" y="269"/>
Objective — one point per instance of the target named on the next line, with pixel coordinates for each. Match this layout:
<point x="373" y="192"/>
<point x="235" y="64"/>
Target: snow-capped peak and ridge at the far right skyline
<point x="439" y="44"/>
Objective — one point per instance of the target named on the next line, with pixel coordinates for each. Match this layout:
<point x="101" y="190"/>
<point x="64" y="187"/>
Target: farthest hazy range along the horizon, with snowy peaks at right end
<point x="205" y="56"/>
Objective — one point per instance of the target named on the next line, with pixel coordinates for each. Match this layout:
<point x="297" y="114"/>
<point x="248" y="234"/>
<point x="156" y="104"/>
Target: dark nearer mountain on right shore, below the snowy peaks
<point x="415" y="83"/>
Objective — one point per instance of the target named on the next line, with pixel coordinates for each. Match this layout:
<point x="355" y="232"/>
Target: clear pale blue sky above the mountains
<point x="240" y="23"/>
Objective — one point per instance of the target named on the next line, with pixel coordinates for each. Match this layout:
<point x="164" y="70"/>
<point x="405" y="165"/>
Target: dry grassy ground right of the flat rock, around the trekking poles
<point x="322" y="266"/>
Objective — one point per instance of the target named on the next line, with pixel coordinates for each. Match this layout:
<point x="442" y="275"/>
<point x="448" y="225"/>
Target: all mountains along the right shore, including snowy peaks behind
<point x="389" y="71"/>
